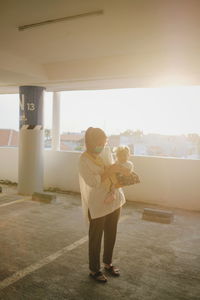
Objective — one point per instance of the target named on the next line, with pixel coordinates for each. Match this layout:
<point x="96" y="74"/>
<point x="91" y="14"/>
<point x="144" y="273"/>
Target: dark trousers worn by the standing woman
<point x="108" y="226"/>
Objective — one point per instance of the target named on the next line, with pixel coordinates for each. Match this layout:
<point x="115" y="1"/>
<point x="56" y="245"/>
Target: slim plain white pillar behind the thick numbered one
<point x="56" y="122"/>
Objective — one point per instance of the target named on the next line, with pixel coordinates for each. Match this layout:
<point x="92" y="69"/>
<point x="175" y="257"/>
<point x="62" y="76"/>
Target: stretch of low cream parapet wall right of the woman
<point x="167" y="181"/>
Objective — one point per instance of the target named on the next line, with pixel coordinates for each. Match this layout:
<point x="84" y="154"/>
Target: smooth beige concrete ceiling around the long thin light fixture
<point x="134" y="43"/>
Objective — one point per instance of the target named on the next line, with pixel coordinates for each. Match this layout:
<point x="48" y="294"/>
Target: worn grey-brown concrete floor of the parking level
<point x="43" y="253"/>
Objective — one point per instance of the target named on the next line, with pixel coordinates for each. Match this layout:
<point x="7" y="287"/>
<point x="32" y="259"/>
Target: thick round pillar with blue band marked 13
<point x="31" y="141"/>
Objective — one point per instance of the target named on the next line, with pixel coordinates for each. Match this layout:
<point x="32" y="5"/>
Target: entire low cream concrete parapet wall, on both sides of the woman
<point x="166" y="181"/>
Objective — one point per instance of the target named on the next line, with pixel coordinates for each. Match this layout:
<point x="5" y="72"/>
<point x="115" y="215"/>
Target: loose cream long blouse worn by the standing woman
<point x="94" y="192"/>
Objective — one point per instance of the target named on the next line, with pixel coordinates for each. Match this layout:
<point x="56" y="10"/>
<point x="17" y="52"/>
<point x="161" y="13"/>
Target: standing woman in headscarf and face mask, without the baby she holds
<point x="103" y="215"/>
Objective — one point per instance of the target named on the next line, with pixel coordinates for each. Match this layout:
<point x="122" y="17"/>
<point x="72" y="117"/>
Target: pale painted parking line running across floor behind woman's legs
<point x="21" y="274"/>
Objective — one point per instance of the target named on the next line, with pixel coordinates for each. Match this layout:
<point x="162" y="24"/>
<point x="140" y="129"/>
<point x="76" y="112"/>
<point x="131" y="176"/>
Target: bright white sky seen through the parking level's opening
<point x="171" y="111"/>
